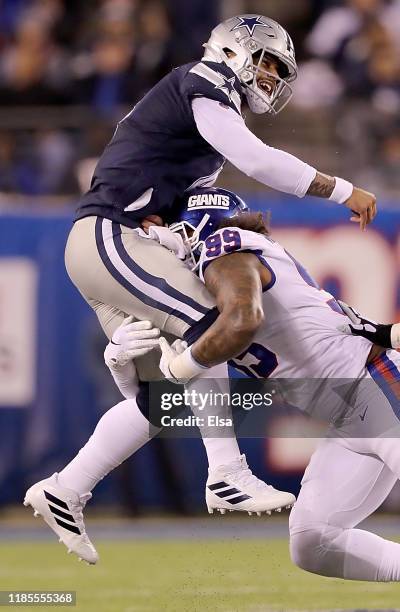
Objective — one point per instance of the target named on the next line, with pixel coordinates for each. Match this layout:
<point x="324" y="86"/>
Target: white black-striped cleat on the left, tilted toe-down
<point x="62" y="510"/>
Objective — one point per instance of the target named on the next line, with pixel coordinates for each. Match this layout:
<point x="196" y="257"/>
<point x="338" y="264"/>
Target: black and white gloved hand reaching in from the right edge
<point x="387" y="336"/>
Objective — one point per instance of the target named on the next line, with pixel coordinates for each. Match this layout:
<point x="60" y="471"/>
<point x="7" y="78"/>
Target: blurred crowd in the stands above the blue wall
<point x="103" y="55"/>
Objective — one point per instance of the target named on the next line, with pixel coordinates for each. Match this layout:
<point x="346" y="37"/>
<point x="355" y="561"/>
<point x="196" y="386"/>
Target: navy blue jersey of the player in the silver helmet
<point x="157" y="153"/>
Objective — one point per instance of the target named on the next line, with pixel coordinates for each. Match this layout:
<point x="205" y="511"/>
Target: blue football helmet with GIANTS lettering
<point x="199" y="214"/>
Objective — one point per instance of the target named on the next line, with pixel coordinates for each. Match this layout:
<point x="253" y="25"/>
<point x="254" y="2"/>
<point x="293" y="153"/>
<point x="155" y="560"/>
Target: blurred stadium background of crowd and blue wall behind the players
<point x="68" y="71"/>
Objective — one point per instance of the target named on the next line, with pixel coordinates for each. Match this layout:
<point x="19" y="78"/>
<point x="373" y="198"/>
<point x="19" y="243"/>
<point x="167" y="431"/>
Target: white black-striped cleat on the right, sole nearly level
<point x="234" y="487"/>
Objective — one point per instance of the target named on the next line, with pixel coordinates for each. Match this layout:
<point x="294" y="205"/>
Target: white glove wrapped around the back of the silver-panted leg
<point x="129" y="341"/>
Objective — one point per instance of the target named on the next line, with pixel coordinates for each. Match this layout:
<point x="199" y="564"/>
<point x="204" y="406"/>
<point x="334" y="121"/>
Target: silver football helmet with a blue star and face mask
<point x="242" y="42"/>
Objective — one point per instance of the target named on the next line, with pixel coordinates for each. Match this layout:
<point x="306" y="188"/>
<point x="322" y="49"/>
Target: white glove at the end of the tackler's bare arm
<point x="177" y="363"/>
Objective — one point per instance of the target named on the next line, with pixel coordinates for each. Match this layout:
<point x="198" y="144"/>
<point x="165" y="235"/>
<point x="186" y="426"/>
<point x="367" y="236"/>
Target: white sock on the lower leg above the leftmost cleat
<point x="120" y="432"/>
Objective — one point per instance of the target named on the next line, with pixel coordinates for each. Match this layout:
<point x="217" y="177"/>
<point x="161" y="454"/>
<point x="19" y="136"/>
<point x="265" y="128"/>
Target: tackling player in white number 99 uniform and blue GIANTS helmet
<point x="274" y="320"/>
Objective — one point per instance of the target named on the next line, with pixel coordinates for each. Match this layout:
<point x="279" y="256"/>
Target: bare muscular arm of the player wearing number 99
<point x="236" y="281"/>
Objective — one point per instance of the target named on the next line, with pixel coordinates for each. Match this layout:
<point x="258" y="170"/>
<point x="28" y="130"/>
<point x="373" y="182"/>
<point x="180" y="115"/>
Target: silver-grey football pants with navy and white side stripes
<point x="120" y="273"/>
